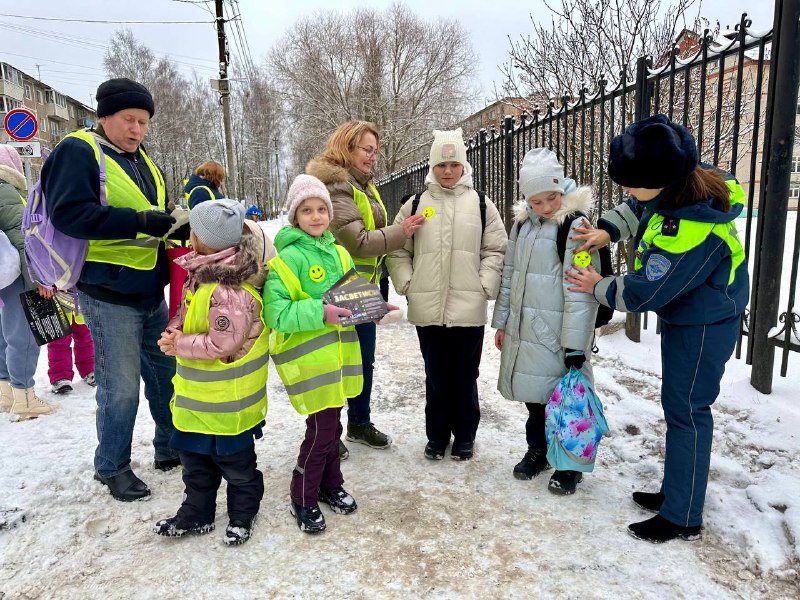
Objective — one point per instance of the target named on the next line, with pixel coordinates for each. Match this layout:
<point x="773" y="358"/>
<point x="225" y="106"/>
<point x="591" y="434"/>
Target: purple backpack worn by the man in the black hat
<point x="54" y="259"/>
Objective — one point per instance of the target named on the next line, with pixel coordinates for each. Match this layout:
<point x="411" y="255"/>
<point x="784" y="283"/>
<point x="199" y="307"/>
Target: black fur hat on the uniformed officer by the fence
<point x="652" y="153"/>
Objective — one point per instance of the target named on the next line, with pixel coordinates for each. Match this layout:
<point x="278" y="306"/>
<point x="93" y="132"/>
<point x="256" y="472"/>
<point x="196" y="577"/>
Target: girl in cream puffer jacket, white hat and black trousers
<point x="449" y="272"/>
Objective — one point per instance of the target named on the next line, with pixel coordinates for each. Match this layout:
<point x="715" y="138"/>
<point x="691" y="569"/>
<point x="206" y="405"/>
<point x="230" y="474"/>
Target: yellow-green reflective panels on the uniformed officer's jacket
<point x="691" y="234"/>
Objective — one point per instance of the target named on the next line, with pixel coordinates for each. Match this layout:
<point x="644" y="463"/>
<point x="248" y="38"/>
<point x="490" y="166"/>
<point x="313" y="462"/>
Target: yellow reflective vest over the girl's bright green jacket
<point x="322" y="368"/>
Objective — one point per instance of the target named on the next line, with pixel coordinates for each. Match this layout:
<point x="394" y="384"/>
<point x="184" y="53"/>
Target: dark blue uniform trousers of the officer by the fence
<point x="693" y="361"/>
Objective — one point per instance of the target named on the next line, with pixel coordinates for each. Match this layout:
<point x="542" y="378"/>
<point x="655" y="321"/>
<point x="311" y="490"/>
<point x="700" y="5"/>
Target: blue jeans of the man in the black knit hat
<point x="125" y="351"/>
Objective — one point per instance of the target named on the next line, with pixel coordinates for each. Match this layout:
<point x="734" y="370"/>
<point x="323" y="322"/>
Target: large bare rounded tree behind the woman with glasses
<point x="407" y="75"/>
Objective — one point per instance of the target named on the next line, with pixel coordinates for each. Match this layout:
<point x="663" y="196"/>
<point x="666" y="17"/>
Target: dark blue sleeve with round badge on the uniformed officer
<point x="663" y="278"/>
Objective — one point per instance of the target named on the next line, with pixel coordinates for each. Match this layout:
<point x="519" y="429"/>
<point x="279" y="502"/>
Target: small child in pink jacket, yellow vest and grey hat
<point x="220" y="401"/>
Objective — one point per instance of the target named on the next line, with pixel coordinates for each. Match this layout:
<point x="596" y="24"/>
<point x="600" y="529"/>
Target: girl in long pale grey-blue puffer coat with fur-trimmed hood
<point x="542" y="328"/>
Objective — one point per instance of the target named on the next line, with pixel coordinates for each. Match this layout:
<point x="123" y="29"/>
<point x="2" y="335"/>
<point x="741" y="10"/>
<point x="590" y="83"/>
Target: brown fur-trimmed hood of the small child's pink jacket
<point x="231" y="267"/>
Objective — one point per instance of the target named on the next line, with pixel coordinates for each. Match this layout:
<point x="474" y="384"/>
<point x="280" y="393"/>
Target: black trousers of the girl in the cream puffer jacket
<point x="452" y="356"/>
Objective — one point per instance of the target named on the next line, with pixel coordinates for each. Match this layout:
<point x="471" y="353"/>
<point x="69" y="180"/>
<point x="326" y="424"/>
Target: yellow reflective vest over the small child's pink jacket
<point x="215" y="397"/>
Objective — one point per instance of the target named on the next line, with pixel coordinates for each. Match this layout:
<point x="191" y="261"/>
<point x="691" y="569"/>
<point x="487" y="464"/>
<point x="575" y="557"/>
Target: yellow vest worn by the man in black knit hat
<point x="121" y="192"/>
